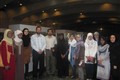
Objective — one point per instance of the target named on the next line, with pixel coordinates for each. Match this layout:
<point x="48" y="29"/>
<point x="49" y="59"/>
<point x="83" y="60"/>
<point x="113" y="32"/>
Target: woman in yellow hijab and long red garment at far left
<point x="8" y="57"/>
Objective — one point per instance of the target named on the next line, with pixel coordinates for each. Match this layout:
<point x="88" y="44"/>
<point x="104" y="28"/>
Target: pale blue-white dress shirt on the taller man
<point x="38" y="42"/>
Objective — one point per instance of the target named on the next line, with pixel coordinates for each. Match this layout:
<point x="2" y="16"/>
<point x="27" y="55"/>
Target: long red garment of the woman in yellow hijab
<point x="8" y="57"/>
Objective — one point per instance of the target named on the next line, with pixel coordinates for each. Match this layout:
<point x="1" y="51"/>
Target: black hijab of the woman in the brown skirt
<point x="26" y="38"/>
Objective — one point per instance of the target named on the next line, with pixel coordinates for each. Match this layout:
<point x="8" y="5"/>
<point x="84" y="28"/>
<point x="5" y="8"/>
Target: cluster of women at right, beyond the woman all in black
<point x="96" y="58"/>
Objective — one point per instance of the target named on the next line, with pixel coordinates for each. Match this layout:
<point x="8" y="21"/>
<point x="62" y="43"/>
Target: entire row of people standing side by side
<point x="90" y="59"/>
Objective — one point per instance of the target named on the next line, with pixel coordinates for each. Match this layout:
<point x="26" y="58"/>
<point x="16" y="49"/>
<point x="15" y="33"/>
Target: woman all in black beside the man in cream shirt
<point x="62" y="61"/>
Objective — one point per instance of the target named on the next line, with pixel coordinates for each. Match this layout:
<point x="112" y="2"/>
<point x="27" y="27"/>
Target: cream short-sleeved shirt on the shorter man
<point x="51" y="41"/>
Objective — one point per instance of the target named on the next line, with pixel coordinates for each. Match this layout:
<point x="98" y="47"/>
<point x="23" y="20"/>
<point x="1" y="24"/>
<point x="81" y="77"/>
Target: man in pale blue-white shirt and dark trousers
<point x="38" y="45"/>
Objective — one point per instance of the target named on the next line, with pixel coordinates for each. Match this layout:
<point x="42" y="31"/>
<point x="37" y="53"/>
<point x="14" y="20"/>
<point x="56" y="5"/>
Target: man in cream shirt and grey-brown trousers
<point x="50" y="50"/>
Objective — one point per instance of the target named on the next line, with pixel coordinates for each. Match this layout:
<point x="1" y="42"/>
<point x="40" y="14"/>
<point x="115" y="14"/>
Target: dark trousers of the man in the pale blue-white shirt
<point x="38" y="59"/>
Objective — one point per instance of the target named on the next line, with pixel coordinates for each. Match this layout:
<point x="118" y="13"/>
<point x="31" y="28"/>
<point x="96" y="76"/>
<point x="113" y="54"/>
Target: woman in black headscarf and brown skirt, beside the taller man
<point x="27" y="50"/>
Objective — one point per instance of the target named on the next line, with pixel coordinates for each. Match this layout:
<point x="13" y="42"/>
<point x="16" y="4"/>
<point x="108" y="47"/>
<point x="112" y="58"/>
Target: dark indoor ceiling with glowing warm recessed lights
<point x="80" y="15"/>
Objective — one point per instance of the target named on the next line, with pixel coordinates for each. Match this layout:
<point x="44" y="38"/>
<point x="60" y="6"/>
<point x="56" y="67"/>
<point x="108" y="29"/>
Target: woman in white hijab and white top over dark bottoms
<point x="90" y="56"/>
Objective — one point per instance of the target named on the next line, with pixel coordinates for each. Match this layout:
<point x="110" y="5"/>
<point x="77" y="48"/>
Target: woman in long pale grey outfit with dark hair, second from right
<point x="103" y="67"/>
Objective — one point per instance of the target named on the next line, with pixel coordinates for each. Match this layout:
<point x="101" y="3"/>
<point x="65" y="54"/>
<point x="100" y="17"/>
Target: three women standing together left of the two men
<point x="15" y="52"/>
